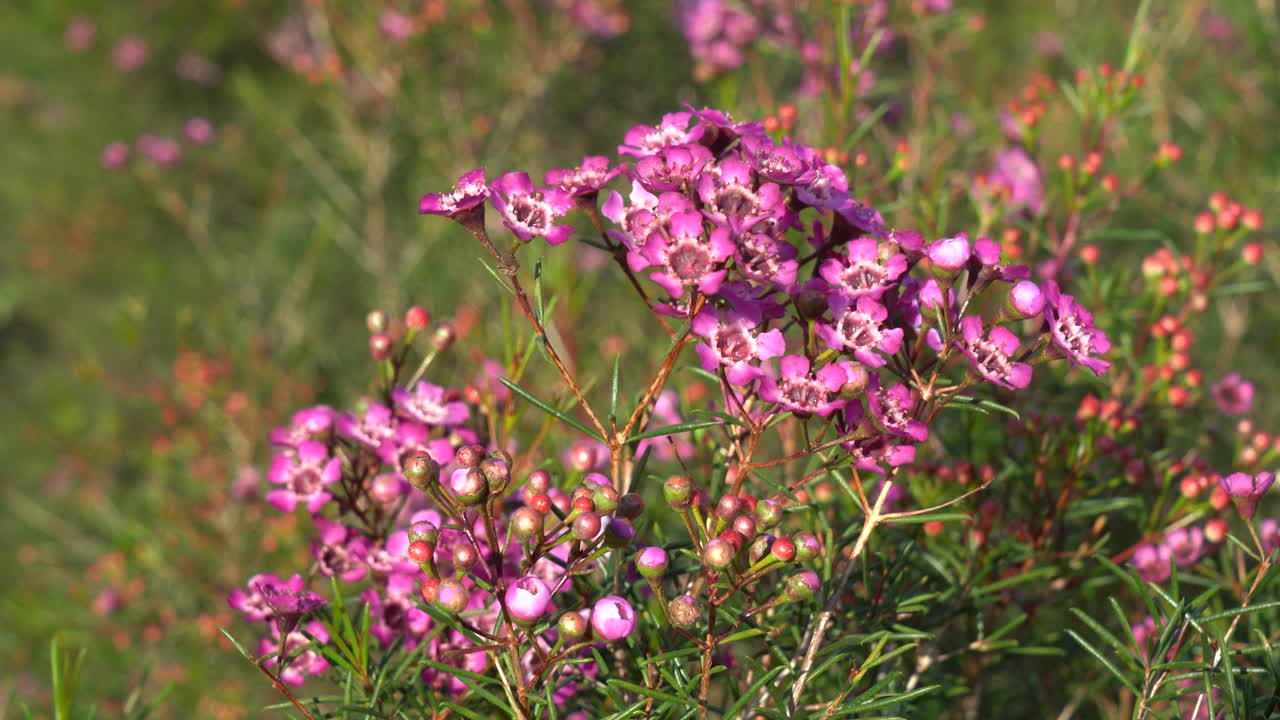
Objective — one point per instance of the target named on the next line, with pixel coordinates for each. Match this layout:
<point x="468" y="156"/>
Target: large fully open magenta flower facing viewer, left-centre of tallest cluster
<point x="684" y="259"/>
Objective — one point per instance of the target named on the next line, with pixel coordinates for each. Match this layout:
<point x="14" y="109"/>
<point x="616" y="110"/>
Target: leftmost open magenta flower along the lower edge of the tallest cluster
<point x="733" y="344"/>
